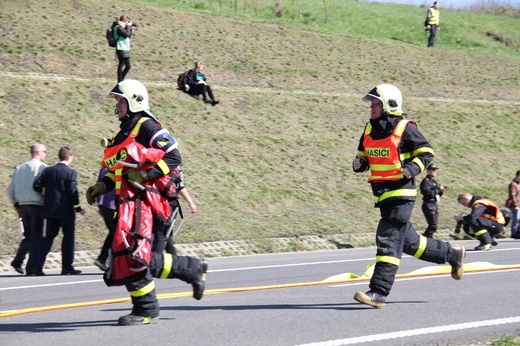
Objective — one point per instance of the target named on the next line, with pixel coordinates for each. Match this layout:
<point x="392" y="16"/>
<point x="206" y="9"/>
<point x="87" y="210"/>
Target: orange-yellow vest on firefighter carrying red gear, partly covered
<point x="118" y="152"/>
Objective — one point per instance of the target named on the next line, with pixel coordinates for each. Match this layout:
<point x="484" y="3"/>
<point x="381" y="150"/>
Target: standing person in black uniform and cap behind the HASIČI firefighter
<point x="432" y="193"/>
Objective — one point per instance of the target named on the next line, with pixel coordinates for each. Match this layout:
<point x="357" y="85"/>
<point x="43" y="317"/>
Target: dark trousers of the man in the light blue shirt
<point x="32" y="220"/>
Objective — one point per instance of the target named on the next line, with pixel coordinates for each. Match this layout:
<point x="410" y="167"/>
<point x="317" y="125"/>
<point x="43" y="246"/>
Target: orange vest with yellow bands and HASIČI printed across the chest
<point x="383" y="154"/>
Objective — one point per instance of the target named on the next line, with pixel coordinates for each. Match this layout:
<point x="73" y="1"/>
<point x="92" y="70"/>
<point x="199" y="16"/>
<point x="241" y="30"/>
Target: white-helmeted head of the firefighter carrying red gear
<point x="131" y="96"/>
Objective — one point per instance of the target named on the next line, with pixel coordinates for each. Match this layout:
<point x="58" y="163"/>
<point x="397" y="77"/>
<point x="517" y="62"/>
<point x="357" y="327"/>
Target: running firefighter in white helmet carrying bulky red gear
<point x="143" y="160"/>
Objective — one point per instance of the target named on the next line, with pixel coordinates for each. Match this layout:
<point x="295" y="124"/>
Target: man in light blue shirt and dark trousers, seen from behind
<point x="28" y="204"/>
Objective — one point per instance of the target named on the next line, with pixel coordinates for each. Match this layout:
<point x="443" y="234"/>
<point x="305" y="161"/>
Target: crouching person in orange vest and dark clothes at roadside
<point x="485" y="221"/>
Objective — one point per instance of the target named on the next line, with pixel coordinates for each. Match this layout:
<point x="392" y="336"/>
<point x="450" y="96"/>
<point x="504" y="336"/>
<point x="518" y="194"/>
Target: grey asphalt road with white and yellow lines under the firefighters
<point x="277" y="299"/>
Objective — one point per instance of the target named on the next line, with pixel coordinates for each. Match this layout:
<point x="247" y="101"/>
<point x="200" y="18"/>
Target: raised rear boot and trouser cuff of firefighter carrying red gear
<point x="193" y="271"/>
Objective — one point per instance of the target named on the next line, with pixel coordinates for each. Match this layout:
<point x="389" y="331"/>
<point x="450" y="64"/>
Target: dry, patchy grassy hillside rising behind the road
<point x="273" y="159"/>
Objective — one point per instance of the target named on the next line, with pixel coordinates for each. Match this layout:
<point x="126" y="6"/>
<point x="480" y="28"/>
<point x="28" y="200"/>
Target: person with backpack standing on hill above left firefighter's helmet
<point x="122" y="28"/>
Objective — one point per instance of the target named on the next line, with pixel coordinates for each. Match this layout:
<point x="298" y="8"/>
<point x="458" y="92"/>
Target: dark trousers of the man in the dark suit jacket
<point x="51" y="229"/>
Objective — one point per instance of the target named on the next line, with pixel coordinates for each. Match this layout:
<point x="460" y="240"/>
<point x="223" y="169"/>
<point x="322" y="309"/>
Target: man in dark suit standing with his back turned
<point x="61" y="203"/>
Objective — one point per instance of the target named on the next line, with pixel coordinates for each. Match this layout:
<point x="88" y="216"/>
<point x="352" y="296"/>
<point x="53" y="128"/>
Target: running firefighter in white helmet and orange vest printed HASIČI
<point x="395" y="152"/>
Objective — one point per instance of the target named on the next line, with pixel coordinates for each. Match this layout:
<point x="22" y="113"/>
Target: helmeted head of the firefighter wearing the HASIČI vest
<point x="386" y="99"/>
